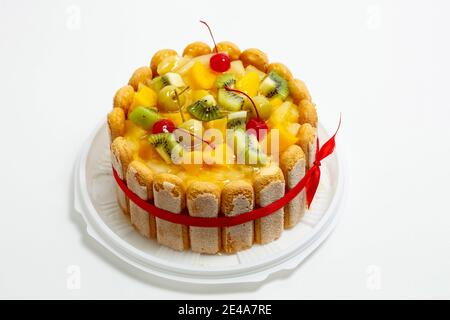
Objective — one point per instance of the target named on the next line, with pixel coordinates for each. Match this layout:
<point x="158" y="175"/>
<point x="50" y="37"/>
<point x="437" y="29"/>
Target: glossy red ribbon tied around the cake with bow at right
<point x="310" y="181"/>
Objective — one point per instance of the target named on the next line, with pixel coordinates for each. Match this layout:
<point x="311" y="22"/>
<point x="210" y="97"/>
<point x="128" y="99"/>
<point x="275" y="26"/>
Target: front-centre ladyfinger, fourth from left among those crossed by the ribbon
<point x="203" y="199"/>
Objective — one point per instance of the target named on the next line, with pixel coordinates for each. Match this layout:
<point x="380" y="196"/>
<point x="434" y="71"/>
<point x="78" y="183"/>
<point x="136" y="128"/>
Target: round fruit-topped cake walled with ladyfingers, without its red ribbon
<point x="212" y="132"/>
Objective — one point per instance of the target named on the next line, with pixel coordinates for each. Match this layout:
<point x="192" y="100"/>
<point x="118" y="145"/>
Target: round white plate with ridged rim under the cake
<point x="95" y="201"/>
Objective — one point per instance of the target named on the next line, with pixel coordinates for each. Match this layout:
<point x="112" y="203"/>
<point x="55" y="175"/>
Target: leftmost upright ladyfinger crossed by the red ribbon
<point x="121" y="156"/>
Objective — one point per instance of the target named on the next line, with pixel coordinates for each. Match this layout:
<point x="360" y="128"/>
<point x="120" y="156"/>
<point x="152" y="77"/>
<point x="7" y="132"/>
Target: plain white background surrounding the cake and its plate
<point x="383" y="64"/>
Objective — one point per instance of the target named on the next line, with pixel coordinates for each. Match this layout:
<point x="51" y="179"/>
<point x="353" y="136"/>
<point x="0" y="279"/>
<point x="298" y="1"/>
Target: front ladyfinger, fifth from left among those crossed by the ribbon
<point x="237" y="197"/>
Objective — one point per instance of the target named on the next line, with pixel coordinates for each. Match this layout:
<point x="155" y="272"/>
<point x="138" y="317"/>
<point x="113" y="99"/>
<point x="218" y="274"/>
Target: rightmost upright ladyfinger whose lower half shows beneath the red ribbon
<point x="292" y="163"/>
